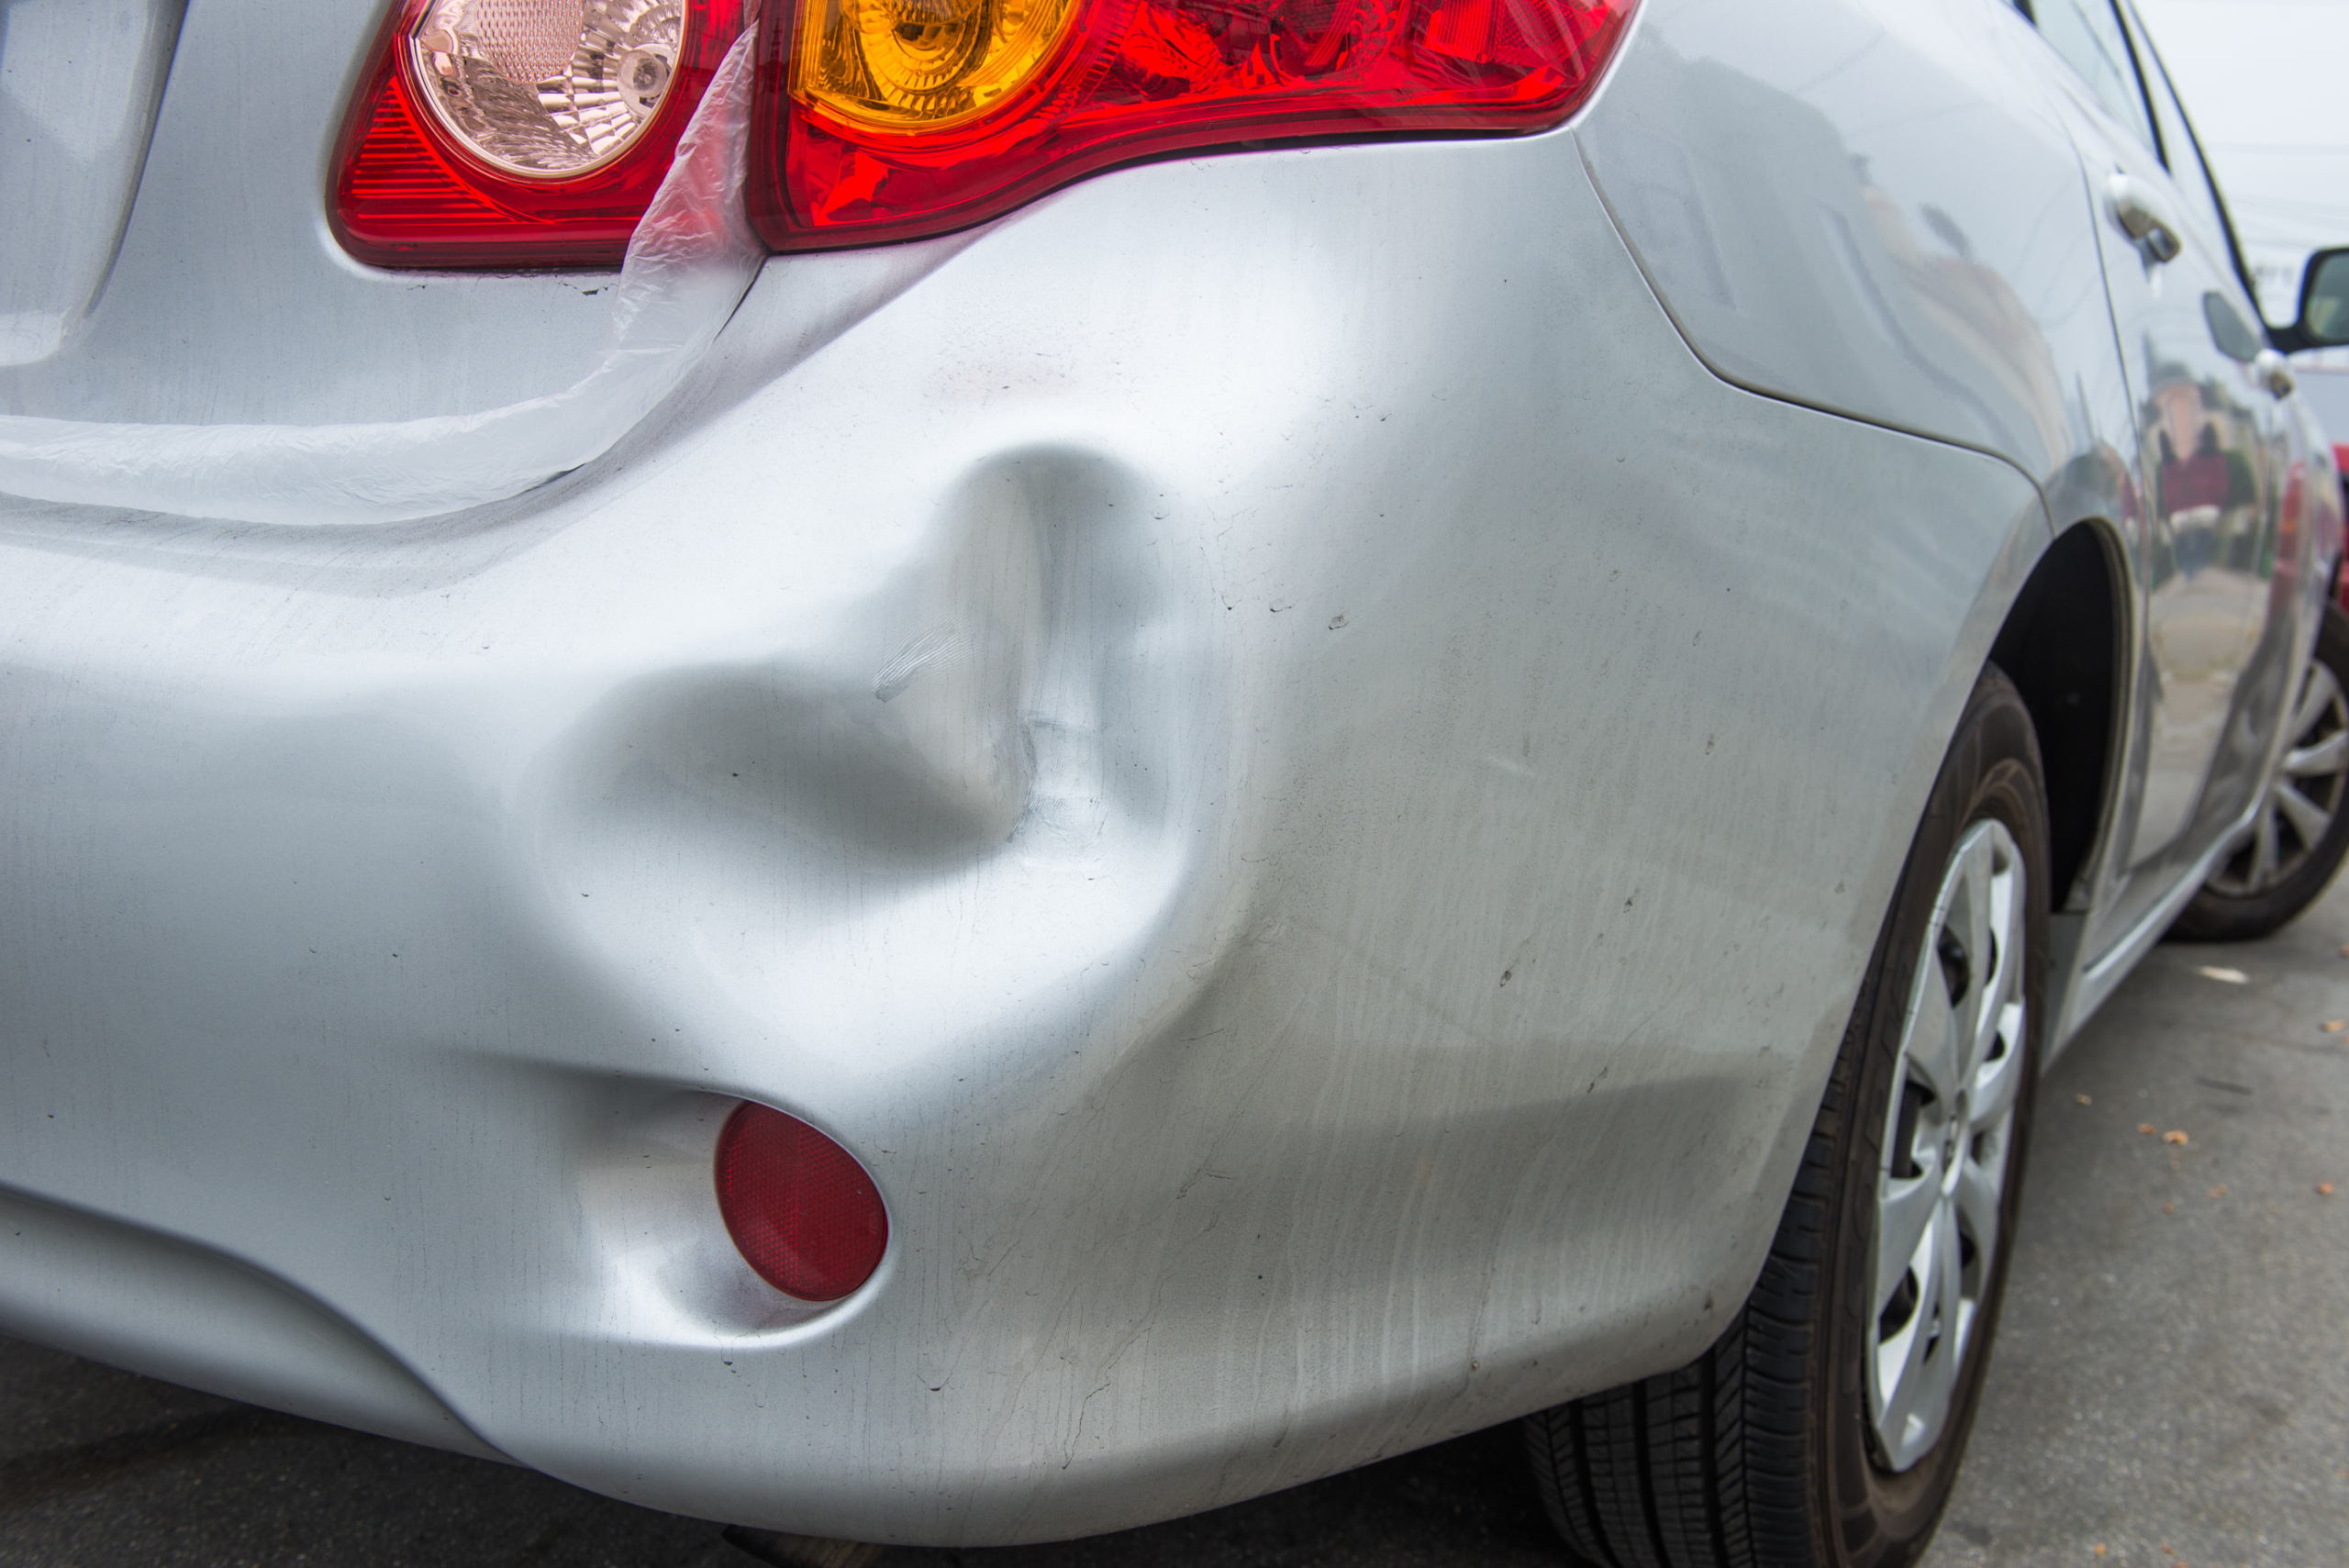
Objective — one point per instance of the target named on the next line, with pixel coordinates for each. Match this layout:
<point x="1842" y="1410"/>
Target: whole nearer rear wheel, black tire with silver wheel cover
<point x="1829" y="1421"/>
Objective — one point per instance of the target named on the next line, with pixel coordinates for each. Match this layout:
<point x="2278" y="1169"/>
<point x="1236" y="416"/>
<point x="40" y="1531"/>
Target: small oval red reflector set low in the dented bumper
<point x="797" y="1205"/>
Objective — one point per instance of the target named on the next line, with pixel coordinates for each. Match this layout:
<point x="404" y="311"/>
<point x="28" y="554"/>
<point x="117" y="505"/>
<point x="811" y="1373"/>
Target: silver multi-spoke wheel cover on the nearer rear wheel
<point x="1948" y="1142"/>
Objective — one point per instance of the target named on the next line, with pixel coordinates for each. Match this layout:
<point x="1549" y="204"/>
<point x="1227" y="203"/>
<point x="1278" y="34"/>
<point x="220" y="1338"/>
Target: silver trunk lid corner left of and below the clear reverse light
<point x="231" y="304"/>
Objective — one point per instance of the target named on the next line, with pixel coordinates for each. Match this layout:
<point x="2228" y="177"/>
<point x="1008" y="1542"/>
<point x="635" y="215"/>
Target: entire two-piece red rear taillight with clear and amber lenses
<point x="534" y="133"/>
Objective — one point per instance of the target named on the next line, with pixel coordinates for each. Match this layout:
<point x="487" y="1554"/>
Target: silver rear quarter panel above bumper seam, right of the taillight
<point x="1873" y="212"/>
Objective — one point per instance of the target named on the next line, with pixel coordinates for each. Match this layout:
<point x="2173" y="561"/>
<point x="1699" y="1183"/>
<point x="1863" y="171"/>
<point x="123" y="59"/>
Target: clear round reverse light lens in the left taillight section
<point x="548" y="88"/>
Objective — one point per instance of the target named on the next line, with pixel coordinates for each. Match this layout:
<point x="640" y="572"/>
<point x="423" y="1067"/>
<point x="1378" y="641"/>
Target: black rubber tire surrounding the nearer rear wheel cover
<point x="1765" y="1452"/>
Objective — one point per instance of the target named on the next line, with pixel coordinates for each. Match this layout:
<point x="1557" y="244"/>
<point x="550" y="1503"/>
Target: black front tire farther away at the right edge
<point x="2237" y="905"/>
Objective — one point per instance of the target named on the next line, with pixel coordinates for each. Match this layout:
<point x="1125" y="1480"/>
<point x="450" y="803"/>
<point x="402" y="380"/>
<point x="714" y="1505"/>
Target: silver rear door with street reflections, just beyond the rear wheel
<point x="2205" y="426"/>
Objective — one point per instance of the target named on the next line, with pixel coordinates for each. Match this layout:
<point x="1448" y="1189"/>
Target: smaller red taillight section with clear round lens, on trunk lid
<point x="520" y="133"/>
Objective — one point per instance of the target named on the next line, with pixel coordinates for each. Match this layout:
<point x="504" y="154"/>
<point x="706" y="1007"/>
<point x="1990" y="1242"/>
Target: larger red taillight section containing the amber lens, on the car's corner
<point x="898" y="119"/>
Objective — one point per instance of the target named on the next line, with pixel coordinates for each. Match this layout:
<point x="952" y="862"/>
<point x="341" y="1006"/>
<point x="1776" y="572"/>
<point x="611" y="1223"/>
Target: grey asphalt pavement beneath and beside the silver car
<point x="2172" y="1381"/>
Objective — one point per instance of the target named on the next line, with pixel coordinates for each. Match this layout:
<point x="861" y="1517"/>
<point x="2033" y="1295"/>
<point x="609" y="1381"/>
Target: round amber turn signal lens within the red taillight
<point x="922" y="65"/>
